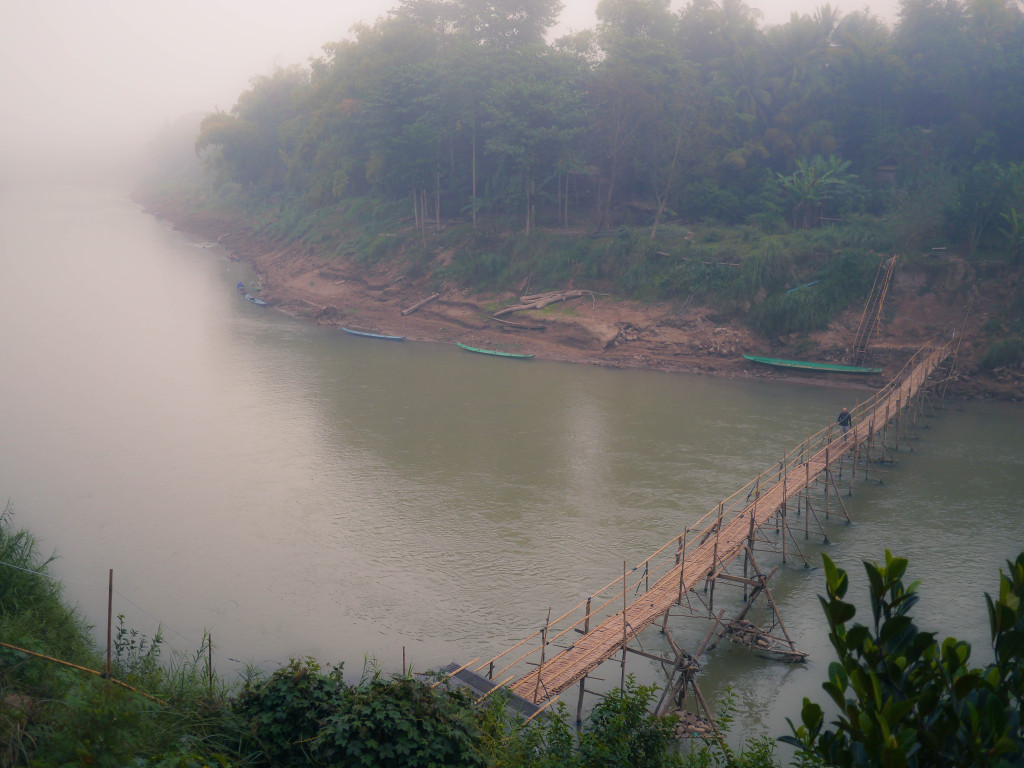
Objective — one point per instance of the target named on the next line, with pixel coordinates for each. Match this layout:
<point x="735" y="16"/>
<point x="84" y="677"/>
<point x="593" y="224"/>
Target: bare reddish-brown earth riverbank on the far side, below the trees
<point x="604" y="330"/>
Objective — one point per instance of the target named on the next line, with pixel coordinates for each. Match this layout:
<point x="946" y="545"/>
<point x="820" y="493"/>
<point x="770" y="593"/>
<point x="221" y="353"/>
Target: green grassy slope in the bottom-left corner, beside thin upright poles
<point x="58" y="715"/>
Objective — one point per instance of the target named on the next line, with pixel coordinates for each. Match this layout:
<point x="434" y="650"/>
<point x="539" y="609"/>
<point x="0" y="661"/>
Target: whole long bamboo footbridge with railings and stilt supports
<point x="773" y="509"/>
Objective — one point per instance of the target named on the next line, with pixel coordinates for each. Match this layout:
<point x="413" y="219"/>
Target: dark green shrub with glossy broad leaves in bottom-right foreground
<point x="905" y="699"/>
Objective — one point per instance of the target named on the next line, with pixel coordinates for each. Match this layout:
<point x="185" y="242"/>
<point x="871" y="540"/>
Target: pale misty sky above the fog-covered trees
<point x="91" y="75"/>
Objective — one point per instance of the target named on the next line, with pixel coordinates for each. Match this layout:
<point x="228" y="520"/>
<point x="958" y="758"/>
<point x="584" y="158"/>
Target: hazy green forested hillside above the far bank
<point x="731" y="161"/>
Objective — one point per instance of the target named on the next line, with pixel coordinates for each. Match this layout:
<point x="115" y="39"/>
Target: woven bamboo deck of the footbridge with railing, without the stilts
<point x="730" y="529"/>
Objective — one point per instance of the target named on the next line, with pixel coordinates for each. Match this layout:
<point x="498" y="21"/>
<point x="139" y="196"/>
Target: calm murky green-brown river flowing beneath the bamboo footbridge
<point x="300" y="492"/>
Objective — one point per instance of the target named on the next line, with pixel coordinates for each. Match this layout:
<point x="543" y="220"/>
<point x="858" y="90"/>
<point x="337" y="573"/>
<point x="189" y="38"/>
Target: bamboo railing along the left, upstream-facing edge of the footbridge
<point x="562" y="632"/>
